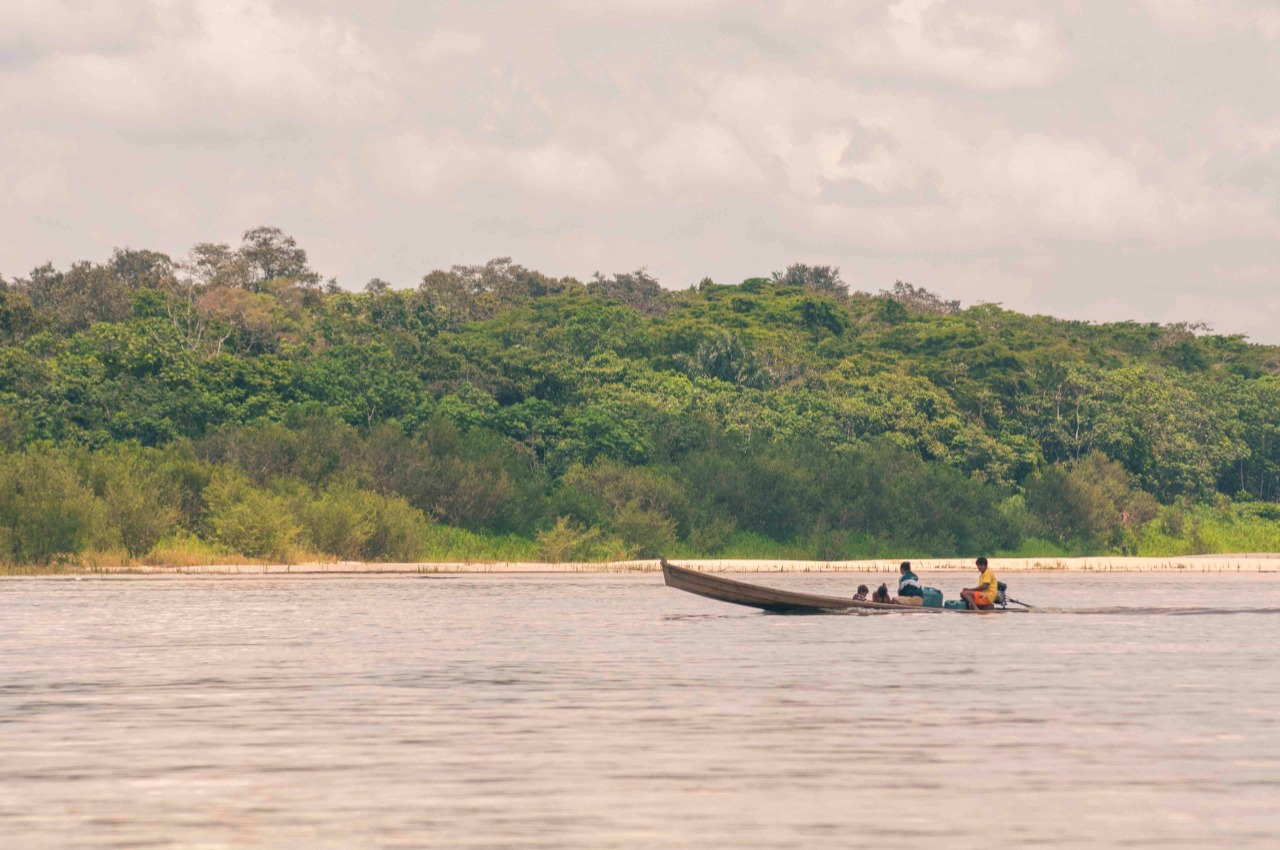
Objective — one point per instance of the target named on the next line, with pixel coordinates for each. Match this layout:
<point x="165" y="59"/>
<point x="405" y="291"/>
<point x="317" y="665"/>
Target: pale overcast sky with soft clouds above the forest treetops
<point x="1082" y="158"/>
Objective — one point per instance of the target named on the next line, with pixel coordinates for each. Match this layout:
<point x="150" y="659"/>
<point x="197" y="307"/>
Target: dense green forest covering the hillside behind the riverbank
<point x="234" y="404"/>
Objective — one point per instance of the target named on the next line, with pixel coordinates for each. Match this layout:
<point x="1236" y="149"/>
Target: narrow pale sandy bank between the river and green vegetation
<point x="1185" y="564"/>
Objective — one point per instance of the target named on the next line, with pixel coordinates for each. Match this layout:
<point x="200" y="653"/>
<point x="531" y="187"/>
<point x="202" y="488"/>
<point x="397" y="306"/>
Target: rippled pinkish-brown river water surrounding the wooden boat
<point x="606" y="711"/>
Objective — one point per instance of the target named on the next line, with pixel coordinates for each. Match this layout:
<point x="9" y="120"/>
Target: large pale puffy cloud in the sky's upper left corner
<point x="223" y="63"/>
